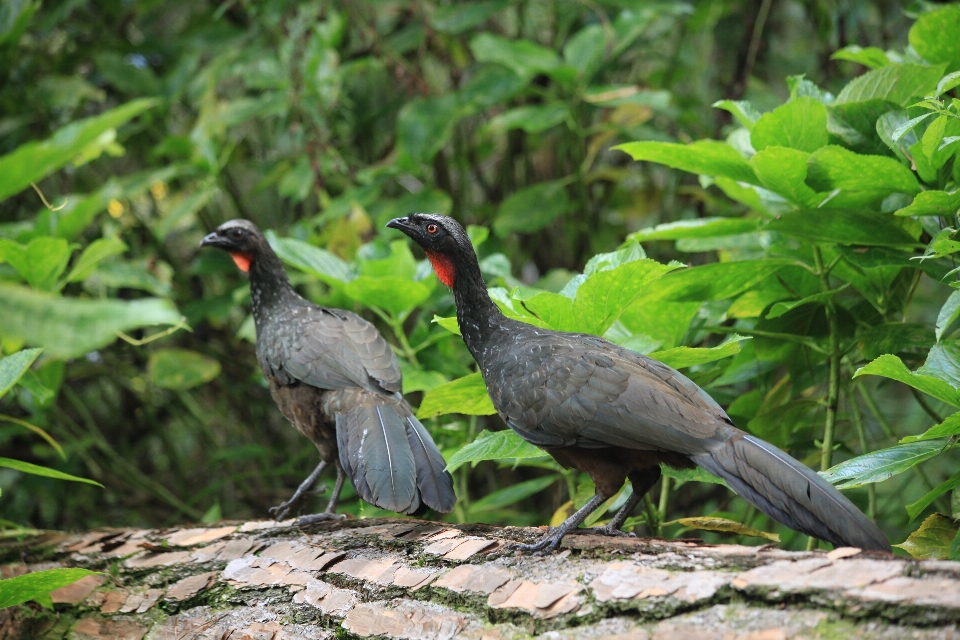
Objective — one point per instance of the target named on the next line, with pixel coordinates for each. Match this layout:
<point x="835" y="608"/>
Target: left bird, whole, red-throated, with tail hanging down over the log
<point x="336" y="379"/>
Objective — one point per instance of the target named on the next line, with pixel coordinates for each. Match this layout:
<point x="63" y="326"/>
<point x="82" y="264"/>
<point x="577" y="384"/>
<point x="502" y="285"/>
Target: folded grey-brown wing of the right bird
<point x="597" y="394"/>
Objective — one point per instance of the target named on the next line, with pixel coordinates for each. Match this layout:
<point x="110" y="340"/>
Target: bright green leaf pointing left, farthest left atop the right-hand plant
<point x="707" y="157"/>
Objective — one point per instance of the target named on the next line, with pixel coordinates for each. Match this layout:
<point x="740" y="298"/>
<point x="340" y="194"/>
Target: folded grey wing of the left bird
<point x="329" y="349"/>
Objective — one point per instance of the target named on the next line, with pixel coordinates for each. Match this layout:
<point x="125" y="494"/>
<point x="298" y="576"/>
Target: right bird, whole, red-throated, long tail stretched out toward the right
<point x="616" y="415"/>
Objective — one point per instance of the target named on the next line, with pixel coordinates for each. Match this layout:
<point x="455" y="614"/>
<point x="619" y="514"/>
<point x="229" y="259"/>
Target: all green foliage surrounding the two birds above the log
<point x="795" y="213"/>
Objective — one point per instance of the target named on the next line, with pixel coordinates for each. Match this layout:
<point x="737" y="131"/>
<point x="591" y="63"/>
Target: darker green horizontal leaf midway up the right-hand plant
<point x="842" y="226"/>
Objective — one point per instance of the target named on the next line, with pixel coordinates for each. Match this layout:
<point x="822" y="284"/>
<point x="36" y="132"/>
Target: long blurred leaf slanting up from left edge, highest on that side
<point x="32" y="161"/>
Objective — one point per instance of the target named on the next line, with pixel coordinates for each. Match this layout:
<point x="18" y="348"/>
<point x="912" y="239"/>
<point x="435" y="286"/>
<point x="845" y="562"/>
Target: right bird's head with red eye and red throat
<point x="442" y="238"/>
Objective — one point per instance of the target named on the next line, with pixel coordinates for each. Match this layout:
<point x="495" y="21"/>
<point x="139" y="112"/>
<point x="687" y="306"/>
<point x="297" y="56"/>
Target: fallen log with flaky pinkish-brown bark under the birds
<point x="420" y="580"/>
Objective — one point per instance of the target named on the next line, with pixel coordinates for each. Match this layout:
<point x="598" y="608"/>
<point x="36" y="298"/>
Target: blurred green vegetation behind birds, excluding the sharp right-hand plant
<point x="320" y="121"/>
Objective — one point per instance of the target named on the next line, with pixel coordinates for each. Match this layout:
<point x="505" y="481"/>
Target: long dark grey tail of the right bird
<point x="790" y="492"/>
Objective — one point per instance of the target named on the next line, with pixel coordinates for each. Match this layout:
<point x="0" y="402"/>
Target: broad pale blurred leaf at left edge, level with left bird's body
<point x="69" y="327"/>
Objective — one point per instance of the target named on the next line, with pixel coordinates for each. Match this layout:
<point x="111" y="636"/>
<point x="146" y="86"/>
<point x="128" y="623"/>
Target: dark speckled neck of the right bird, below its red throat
<point x="478" y="316"/>
